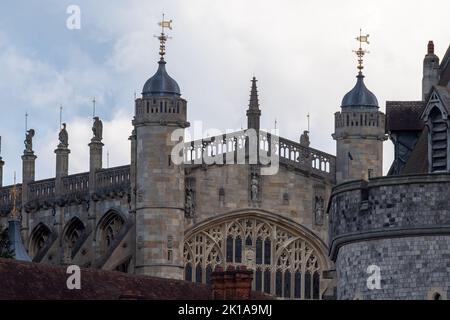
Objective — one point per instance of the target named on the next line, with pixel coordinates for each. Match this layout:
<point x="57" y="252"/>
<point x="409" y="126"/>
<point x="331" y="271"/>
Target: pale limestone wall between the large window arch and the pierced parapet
<point x="289" y="193"/>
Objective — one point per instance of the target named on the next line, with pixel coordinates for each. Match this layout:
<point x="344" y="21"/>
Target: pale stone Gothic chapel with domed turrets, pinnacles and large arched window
<point x="159" y="218"/>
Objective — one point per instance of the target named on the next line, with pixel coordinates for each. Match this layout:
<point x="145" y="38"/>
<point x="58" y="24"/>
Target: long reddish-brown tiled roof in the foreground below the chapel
<point x="27" y="280"/>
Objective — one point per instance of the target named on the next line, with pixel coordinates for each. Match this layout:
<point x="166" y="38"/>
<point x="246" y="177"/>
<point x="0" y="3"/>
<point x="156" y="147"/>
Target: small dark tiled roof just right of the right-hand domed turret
<point x="404" y="115"/>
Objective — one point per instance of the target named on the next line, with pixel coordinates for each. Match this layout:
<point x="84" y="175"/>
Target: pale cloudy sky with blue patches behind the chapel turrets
<point x="300" y="51"/>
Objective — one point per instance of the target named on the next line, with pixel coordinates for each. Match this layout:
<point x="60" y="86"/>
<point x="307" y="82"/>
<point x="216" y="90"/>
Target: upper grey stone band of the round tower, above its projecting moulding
<point x="388" y="207"/>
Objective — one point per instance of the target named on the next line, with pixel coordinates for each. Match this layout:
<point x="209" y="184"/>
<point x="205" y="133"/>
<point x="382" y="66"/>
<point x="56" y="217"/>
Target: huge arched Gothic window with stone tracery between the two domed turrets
<point x="278" y="256"/>
